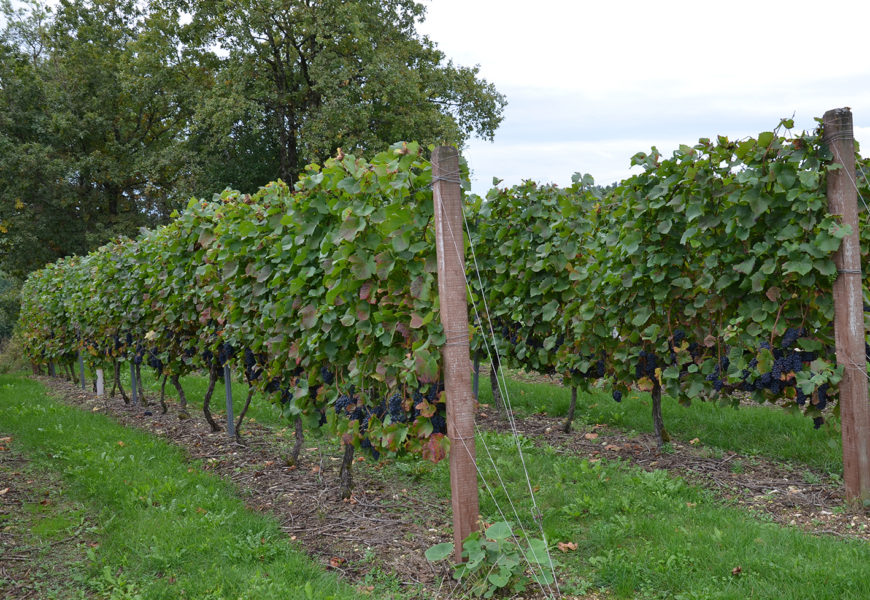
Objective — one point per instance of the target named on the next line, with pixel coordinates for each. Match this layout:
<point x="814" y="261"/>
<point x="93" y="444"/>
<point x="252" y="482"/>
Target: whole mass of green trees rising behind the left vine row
<point x="114" y="112"/>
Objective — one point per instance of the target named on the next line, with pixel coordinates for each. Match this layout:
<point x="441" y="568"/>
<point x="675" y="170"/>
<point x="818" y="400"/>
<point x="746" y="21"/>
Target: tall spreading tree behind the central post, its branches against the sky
<point x="299" y="79"/>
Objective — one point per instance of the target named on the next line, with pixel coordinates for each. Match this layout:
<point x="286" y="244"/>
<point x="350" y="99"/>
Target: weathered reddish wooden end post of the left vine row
<point x="450" y="249"/>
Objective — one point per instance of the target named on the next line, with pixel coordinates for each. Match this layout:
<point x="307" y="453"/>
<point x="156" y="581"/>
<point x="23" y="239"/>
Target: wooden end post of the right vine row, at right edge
<point x="849" y="308"/>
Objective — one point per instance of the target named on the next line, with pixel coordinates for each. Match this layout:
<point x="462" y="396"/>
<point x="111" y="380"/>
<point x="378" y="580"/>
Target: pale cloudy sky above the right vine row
<point x="589" y="84"/>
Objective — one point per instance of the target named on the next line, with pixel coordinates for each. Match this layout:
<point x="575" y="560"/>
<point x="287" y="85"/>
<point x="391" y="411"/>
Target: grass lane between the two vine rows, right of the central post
<point x="647" y="535"/>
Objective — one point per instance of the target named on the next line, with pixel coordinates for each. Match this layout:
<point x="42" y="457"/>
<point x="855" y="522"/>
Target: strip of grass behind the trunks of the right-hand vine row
<point x="765" y="431"/>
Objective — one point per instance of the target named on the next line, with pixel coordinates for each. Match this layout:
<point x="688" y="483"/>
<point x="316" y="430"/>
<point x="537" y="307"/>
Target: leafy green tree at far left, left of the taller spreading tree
<point x="94" y="107"/>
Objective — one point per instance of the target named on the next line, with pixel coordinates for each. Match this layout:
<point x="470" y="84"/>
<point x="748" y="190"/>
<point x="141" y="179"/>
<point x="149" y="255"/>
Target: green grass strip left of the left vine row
<point x="166" y="531"/>
